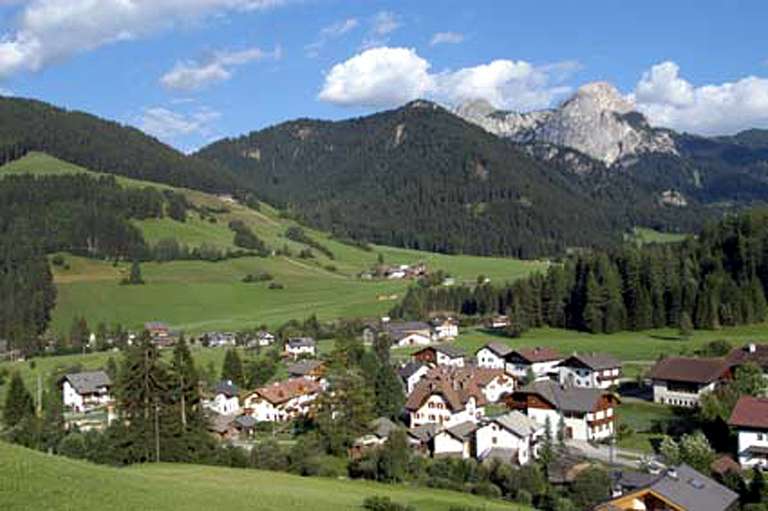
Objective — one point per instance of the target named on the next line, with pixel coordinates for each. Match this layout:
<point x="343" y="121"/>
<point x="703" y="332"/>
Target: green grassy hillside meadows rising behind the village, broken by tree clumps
<point x="197" y="295"/>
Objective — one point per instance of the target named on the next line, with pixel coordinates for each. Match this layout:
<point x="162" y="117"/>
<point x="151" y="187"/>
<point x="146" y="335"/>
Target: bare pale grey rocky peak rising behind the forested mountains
<point x="597" y="121"/>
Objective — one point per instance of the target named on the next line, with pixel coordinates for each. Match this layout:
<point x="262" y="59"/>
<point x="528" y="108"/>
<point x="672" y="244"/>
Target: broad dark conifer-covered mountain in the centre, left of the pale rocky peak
<point x="421" y="177"/>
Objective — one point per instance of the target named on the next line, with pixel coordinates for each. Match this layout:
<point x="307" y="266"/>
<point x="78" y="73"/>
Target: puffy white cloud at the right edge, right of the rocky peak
<point x="669" y="100"/>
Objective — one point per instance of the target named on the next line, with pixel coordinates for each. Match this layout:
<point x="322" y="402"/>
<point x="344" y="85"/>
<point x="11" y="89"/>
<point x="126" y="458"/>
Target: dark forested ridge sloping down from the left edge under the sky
<point x="101" y="145"/>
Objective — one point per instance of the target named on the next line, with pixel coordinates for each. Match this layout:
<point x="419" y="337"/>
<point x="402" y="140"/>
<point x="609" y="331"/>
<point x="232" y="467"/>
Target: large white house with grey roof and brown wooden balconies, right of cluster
<point x="587" y="414"/>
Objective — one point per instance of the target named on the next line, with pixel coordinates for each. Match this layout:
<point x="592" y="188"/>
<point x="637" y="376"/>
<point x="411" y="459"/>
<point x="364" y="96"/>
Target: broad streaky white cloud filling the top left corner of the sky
<point x="50" y="30"/>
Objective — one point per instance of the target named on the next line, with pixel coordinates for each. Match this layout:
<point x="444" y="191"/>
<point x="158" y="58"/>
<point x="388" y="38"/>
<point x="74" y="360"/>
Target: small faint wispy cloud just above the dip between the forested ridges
<point x="168" y="124"/>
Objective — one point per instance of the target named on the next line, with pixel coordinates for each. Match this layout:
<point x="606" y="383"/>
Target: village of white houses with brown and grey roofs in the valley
<point x="494" y="404"/>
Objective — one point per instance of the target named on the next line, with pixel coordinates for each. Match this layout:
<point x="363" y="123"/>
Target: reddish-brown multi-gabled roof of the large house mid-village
<point x="455" y="385"/>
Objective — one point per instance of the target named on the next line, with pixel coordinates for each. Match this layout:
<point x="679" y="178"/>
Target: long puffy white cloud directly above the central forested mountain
<point x="385" y="76"/>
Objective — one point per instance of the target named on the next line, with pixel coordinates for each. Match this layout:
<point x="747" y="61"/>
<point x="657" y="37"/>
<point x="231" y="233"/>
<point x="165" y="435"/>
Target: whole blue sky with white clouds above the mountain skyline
<point x="191" y="71"/>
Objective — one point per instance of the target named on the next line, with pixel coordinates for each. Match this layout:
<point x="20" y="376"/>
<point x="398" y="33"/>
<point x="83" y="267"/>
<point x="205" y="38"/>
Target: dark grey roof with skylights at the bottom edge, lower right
<point x="692" y="490"/>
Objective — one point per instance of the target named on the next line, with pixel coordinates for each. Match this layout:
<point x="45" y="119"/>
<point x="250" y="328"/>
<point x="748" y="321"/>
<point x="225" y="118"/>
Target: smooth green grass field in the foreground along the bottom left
<point x="32" y="480"/>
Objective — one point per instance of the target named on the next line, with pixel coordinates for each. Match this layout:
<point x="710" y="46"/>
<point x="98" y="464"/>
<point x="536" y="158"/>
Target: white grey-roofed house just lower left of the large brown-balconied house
<point x="512" y="437"/>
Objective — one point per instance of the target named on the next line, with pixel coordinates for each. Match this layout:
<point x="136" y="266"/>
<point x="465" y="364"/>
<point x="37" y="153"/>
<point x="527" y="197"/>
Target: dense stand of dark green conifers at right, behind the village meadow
<point x="718" y="279"/>
